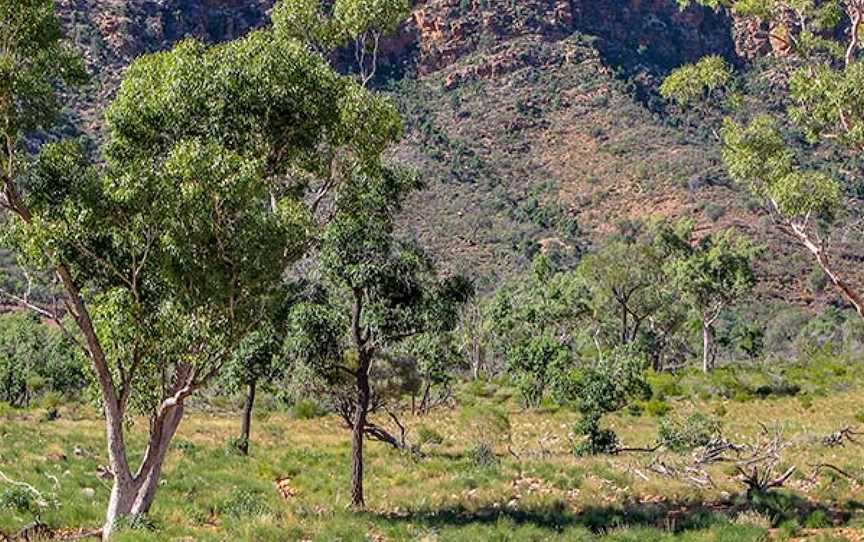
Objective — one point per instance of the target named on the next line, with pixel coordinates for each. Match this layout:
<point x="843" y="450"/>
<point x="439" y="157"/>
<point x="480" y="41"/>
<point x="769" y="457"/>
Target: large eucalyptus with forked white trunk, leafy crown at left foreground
<point x="167" y="248"/>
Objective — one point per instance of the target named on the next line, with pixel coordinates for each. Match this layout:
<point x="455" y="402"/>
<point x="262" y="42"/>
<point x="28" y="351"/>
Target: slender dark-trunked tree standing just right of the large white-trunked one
<point x="383" y="292"/>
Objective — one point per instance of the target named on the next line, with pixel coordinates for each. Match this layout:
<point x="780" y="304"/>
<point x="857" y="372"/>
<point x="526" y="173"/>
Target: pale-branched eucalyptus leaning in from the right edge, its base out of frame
<point x="819" y="45"/>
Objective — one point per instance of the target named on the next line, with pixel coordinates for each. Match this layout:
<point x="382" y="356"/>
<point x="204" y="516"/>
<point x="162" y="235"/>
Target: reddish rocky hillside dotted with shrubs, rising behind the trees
<point x="525" y="116"/>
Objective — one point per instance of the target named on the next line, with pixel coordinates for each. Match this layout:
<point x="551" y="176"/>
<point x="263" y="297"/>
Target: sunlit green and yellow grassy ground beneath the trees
<point x="535" y="491"/>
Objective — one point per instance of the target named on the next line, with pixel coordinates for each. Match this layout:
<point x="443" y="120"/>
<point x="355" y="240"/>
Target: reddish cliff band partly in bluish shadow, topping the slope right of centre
<point x="654" y="32"/>
